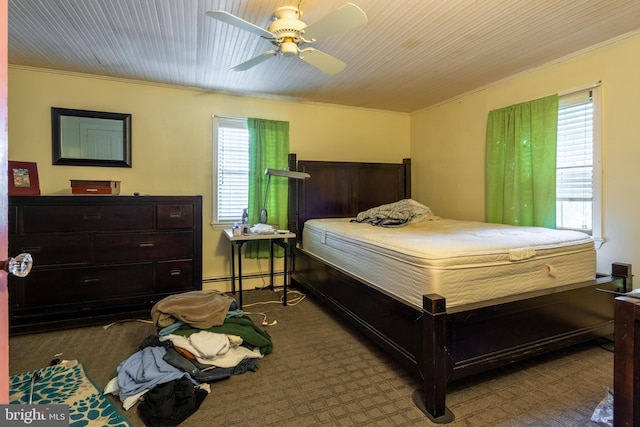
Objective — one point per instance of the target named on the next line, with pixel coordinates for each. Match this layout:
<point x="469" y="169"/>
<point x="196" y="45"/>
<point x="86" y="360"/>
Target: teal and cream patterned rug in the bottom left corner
<point x="67" y="383"/>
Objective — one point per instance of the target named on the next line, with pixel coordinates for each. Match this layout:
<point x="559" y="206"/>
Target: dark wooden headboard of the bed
<point x="342" y="189"/>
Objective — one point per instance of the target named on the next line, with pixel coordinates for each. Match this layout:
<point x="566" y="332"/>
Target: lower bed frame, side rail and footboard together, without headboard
<point x="441" y="346"/>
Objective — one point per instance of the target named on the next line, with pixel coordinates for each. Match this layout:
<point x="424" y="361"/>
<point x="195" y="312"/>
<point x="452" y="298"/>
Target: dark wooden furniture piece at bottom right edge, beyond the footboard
<point x="626" y="362"/>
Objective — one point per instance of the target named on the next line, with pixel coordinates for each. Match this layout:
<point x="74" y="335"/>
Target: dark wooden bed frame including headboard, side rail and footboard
<point x="437" y="344"/>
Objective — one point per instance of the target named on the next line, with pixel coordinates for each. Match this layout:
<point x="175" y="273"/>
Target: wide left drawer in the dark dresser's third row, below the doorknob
<point x="85" y="284"/>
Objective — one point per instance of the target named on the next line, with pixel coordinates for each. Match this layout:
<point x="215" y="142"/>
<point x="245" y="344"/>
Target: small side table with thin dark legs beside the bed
<point x="280" y="239"/>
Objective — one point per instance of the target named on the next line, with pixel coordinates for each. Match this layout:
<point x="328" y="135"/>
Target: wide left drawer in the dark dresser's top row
<point x="53" y="218"/>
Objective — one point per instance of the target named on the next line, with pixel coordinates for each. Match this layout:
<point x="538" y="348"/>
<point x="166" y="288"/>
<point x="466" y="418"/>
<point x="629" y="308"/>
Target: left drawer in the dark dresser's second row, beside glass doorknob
<point x="53" y="250"/>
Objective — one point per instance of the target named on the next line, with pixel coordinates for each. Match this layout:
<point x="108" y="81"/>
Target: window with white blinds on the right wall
<point x="578" y="163"/>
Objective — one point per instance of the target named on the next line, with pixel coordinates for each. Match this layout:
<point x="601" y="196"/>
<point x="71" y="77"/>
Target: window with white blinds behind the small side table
<point x="231" y="168"/>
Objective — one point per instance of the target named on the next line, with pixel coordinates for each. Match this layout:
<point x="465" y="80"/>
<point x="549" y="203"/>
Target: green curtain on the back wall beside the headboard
<point x="268" y="148"/>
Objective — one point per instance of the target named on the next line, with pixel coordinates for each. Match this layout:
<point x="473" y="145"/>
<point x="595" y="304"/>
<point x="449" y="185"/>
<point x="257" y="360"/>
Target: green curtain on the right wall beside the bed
<point x="521" y="163"/>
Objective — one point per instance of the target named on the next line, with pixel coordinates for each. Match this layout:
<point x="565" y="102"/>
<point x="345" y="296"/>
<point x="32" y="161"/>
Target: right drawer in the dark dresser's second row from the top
<point x="144" y="246"/>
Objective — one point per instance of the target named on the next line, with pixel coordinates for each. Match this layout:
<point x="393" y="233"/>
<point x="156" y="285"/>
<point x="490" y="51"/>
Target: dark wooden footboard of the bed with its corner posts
<point x="501" y="332"/>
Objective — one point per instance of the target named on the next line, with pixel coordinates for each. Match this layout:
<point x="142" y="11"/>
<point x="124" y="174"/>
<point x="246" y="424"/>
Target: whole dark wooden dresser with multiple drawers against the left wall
<point x="97" y="259"/>
